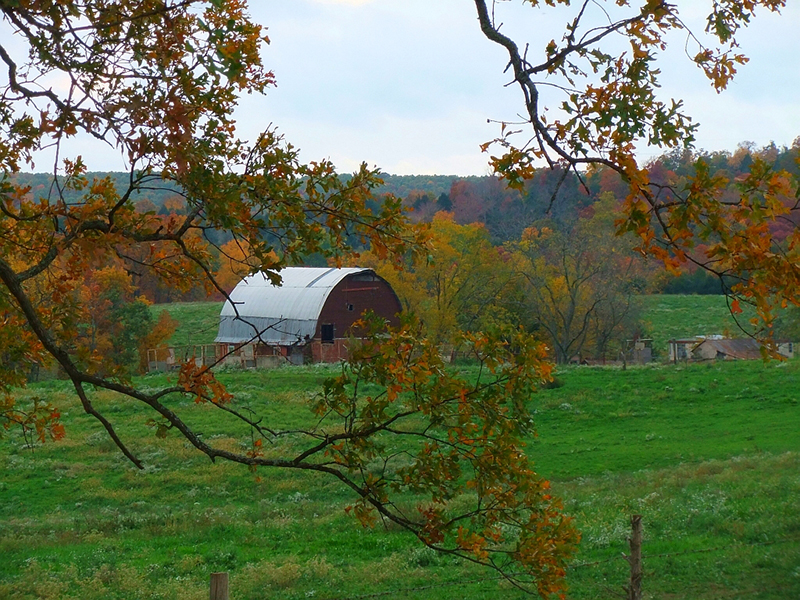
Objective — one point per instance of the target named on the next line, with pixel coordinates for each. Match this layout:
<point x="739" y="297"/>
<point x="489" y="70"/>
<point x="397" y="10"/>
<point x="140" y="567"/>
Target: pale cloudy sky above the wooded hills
<point x="409" y="85"/>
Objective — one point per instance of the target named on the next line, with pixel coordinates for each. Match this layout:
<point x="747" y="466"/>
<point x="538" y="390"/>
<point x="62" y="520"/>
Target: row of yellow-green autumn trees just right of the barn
<point x="572" y="284"/>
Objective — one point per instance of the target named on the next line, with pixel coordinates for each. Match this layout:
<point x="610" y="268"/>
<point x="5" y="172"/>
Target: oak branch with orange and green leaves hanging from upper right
<point x="609" y="103"/>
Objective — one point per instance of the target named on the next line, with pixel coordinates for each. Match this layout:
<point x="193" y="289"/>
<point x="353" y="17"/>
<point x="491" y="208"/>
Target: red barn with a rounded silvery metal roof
<point x="308" y="318"/>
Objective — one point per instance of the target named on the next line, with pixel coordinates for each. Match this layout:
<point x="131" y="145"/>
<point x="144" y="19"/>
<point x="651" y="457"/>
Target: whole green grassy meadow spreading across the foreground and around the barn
<point x="708" y="453"/>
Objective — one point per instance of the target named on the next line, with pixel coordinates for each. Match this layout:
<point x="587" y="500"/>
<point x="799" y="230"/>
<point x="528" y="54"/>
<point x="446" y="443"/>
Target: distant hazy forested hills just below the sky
<point x="505" y="211"/>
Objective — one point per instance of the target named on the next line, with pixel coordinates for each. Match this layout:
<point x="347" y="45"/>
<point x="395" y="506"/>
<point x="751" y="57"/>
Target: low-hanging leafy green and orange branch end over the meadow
<point x="459" y="446"/>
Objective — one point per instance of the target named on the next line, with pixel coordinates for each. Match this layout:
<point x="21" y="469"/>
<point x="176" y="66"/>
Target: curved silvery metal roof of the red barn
<point x="279" y="315"/>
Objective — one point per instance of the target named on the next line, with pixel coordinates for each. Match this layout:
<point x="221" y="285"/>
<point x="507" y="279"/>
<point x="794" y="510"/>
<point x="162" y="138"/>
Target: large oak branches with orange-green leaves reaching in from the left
<point x="157" y="80"/>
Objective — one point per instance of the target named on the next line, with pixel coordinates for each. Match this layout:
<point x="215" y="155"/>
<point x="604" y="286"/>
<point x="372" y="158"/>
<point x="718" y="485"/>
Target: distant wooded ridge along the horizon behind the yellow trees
<point x="505" y="213"/>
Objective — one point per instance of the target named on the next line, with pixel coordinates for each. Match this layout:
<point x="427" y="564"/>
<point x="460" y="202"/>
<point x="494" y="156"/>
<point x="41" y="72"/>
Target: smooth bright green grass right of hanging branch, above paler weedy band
<point x="665" y="415"/>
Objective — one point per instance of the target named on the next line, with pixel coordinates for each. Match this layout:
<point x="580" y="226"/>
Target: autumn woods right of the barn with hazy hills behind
<point x="547" y="257"/>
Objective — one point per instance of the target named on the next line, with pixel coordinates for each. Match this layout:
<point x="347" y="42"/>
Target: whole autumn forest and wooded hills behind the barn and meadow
<point x="547" y="257"/>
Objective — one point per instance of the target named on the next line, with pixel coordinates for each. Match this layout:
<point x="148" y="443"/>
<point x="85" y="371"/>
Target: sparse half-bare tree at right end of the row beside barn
<point x="580" y="282"/>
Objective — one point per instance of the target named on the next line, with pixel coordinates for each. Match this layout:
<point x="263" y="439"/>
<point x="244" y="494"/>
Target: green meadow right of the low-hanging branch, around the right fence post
<point x="707" y="453"/>
